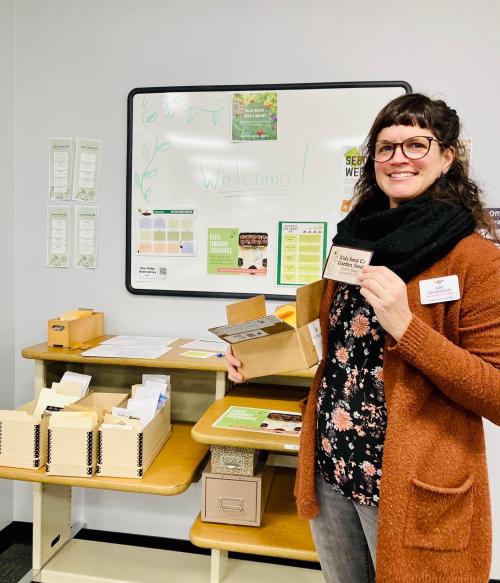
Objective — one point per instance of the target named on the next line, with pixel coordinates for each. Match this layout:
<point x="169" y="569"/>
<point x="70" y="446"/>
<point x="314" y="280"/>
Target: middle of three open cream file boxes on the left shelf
<point x="72" y="448"/>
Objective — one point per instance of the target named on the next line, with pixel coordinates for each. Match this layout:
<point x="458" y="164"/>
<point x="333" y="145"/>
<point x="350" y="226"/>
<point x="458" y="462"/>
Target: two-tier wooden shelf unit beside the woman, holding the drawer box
<point x="282" y="533"/>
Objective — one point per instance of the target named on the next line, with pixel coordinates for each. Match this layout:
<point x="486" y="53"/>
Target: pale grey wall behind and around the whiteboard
<point x="76" y="63"/>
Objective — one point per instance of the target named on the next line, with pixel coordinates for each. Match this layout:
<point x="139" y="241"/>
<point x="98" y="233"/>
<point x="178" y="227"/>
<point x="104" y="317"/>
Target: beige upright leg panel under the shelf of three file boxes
<point x="51" y="521"/>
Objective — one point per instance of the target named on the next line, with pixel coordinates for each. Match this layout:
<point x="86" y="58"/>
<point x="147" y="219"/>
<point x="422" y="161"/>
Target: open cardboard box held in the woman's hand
<point x="267" y="345"/>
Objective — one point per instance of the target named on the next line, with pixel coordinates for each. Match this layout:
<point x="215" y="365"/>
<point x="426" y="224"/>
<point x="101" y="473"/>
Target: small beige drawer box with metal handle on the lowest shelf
<point x="235" y="499"/>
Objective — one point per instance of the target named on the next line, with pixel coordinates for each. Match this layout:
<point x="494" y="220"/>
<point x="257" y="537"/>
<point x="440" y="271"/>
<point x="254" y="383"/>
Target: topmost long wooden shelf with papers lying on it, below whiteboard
<point x="171" y="359"/>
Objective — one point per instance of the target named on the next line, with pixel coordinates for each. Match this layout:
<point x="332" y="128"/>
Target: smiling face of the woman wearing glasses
<point x="402" y="178"/>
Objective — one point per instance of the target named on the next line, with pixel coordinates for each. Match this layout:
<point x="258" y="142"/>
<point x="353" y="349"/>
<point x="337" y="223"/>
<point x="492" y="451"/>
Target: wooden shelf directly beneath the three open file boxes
<point x="173" y="470"/>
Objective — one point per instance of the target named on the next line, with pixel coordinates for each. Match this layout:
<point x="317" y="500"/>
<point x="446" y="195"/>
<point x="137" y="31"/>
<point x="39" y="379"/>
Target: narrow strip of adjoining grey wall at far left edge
<point x="7" y="232"/>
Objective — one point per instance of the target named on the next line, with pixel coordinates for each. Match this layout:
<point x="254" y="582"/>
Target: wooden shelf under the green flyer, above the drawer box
<point x="284" y="399"/>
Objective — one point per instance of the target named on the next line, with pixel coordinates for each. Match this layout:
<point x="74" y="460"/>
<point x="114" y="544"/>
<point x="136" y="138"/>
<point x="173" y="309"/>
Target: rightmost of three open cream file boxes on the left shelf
<point x="128" y="453"/>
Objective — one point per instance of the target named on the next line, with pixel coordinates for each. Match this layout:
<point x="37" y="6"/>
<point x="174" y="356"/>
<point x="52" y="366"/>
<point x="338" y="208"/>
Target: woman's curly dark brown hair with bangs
<point x="454" y="187"/>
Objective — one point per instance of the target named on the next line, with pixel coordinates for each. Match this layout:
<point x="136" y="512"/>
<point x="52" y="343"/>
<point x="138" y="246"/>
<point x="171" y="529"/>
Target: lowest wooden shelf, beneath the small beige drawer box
<point x="281" y="534"/>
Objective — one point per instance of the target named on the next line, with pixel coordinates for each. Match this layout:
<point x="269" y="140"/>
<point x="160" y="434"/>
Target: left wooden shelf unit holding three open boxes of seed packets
<point x="175" y="467"/>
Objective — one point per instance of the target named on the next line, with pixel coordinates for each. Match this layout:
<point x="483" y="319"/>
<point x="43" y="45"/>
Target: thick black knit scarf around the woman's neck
<point x="409" y="238"/>
